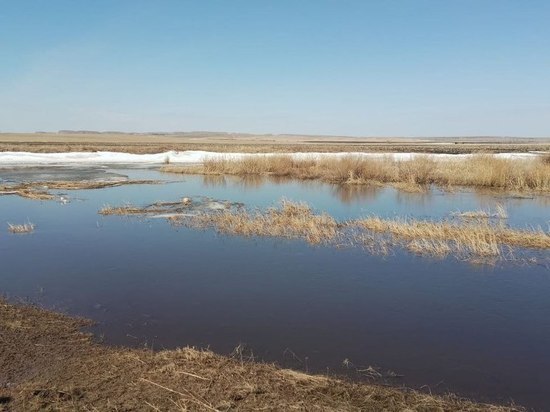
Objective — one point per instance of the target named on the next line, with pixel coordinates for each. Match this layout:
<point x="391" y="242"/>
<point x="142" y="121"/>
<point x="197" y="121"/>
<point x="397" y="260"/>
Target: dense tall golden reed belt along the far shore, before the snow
<point x="482" y="171"/>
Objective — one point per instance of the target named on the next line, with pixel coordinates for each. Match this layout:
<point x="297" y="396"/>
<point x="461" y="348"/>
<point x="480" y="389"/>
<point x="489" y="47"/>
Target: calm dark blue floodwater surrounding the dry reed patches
<point x="444" y="325"/>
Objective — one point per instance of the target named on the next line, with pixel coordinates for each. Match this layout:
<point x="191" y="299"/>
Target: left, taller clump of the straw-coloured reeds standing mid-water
<point x="290" y="220"/>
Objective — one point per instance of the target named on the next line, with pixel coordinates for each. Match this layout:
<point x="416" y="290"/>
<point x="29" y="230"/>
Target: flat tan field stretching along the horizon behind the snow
<point x="237" y="142"/>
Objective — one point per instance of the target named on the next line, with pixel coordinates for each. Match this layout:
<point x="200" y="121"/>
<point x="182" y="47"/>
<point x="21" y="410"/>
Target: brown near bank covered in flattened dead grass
<point x="48" y="363"/>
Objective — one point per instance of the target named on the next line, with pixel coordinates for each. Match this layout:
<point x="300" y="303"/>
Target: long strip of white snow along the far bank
<point x="187" y="157"/>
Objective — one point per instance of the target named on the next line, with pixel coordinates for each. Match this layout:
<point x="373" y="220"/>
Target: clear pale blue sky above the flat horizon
<point x="332" y="67"/>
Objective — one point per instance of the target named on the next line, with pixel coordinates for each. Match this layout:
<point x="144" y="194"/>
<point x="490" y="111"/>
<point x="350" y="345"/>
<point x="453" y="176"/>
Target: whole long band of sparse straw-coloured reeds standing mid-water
<point x="464" y="239"/>
